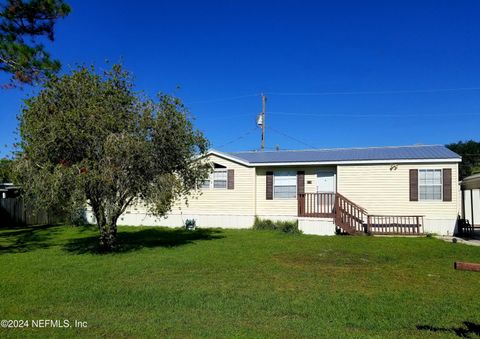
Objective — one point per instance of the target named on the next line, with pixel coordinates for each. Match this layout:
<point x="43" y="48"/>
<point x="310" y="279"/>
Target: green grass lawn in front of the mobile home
<point x="226" y="283"/>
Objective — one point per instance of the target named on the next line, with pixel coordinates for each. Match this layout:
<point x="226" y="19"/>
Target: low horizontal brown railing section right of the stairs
<point x="387" y="224"/>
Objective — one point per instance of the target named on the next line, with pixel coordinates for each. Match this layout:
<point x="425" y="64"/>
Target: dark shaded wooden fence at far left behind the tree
<point x="14" y="211"/>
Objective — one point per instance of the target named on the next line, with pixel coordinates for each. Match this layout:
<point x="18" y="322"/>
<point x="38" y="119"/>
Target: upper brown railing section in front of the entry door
<point x="316" y="205"/>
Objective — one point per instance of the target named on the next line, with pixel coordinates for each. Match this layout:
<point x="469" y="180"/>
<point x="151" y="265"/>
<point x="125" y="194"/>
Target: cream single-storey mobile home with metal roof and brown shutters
<point x="382" y="190"/>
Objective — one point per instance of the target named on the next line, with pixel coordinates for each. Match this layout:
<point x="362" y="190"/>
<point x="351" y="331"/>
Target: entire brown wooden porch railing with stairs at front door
<point x="351" y="218"/>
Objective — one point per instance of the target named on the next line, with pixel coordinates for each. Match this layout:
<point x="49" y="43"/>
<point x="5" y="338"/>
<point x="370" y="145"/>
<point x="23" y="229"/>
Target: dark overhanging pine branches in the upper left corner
<point x="22" y="24"/>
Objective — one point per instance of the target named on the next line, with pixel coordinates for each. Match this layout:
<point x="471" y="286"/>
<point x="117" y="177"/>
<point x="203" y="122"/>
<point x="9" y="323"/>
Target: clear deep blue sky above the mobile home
<point x="336" y="73"/>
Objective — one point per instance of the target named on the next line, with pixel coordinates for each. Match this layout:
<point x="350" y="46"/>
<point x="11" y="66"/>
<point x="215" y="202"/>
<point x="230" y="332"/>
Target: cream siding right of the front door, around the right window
<point x="382" y="189"/>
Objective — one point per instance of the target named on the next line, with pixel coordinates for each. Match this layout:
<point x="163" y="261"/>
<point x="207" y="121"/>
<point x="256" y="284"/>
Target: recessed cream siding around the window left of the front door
<point x="284" y="207"/>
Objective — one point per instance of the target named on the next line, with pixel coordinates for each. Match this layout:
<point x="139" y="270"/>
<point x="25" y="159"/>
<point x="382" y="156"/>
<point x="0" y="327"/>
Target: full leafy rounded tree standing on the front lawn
<point x="89" y="138"/>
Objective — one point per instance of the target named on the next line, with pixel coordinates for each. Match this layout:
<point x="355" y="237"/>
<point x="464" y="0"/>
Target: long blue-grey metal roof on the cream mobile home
<point x="417" y="152"/>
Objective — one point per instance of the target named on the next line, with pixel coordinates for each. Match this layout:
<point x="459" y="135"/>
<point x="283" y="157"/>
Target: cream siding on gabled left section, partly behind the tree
<point x="239" y="201"/>
